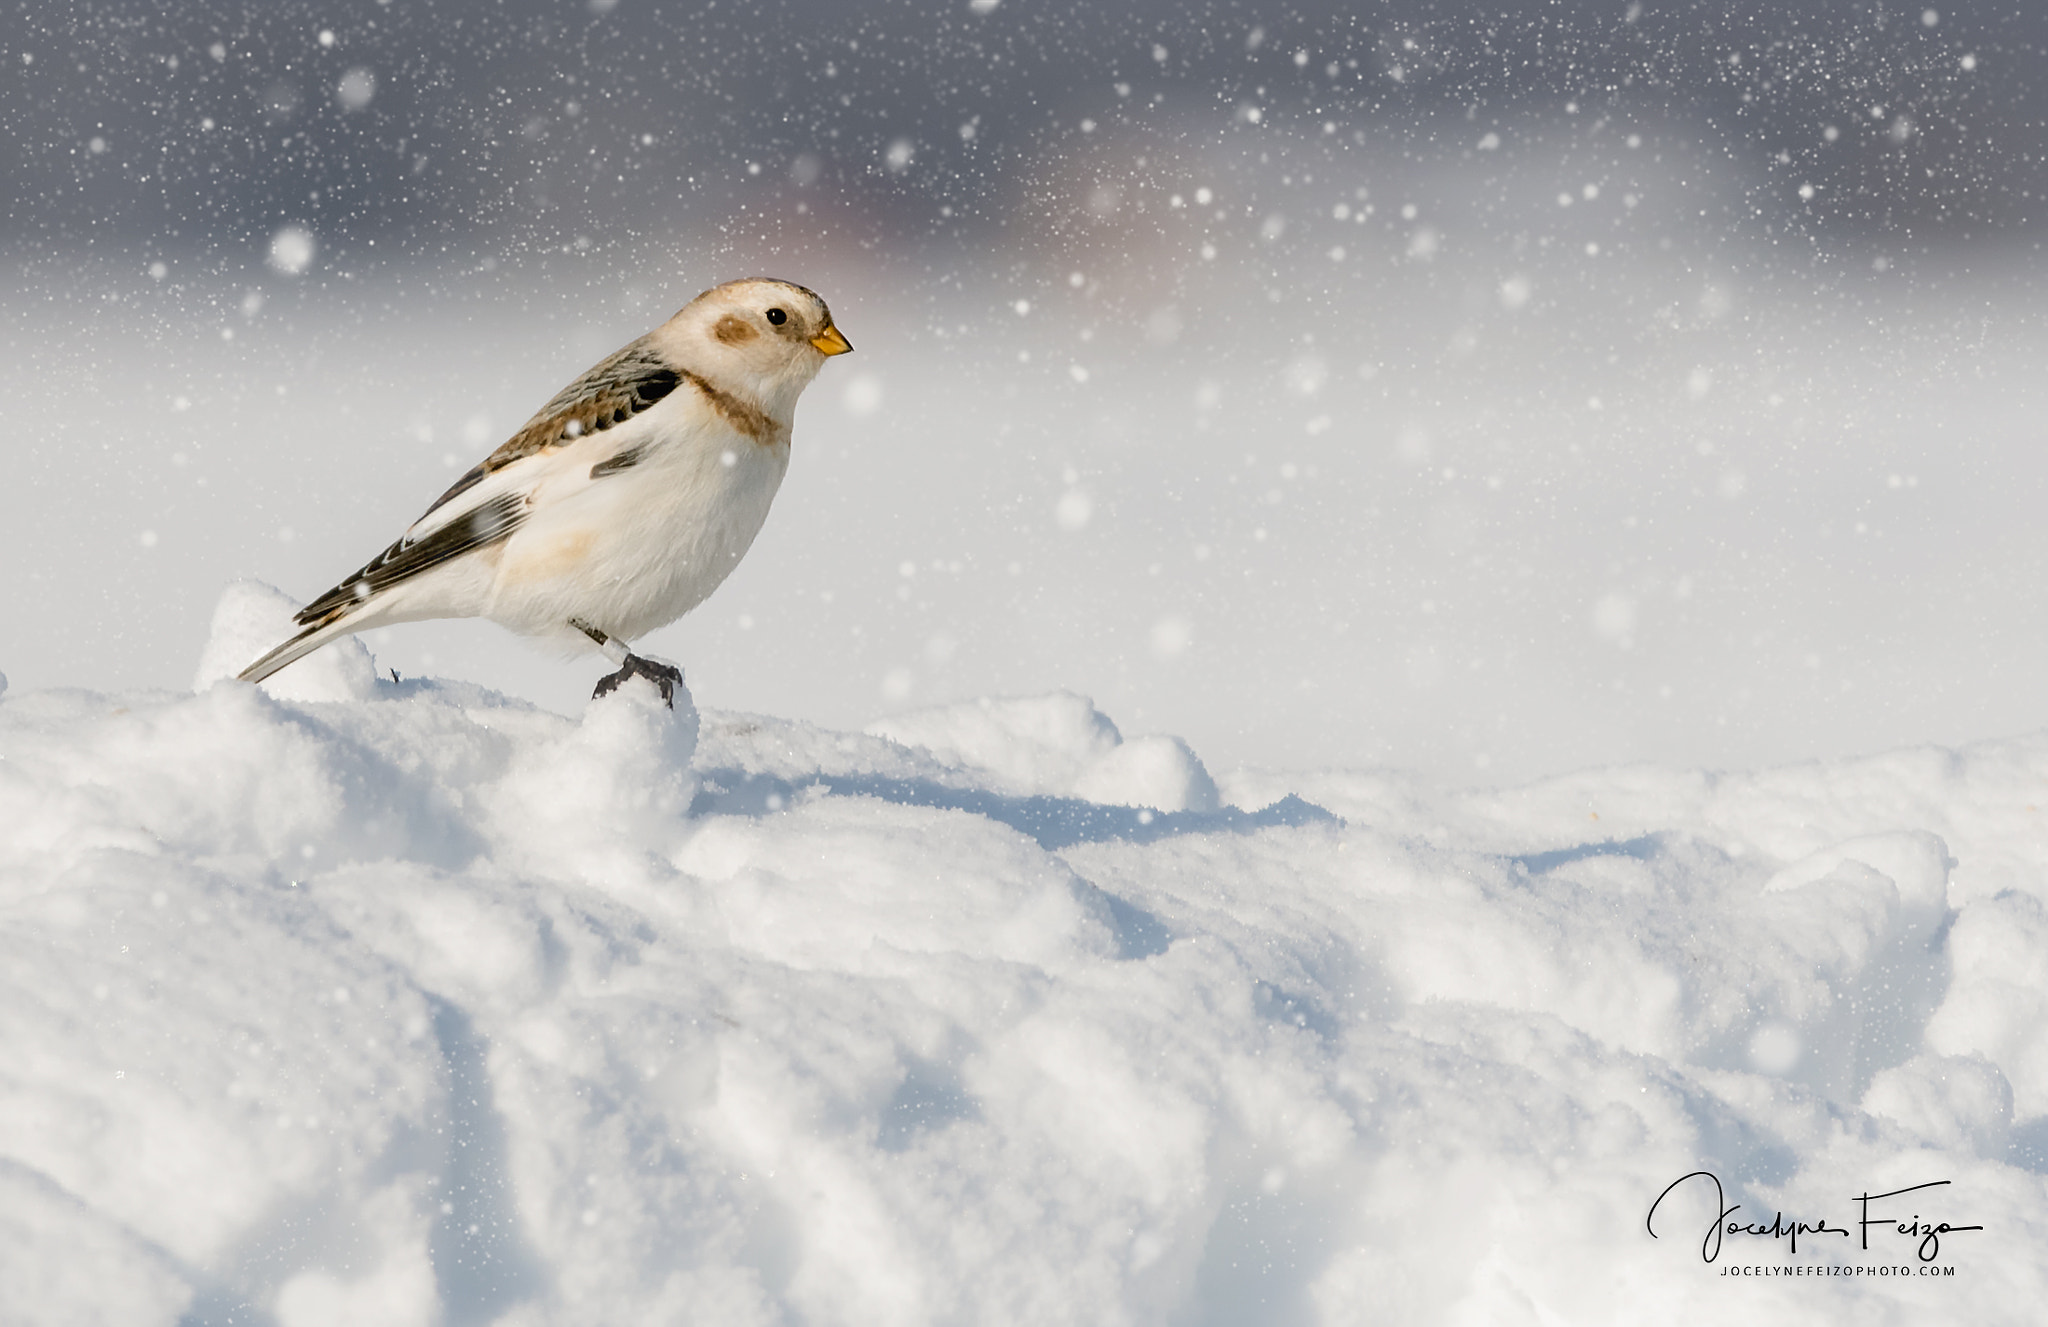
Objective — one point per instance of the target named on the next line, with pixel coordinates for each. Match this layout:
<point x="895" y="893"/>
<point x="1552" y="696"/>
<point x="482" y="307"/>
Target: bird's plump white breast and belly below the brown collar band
<point x="638" y="550"/>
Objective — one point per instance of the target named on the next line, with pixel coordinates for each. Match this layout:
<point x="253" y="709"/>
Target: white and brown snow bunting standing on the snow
<point x="622" y="505"/>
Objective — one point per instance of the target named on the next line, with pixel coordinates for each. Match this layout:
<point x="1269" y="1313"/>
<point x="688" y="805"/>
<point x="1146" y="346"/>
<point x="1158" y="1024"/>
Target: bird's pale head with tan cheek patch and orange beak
<point x="761" y="339"/>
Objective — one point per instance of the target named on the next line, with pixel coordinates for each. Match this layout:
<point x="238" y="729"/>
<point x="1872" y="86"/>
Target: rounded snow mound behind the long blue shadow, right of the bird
<point x="1058" y="746"/>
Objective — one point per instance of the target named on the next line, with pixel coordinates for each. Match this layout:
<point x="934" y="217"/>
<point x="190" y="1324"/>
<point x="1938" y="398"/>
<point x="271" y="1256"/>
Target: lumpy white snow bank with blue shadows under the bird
<point x="404" y="1002"/>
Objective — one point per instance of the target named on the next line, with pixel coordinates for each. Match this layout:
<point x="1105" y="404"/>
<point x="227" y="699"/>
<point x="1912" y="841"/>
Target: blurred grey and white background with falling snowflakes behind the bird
<point x="1484" y="390"/>
